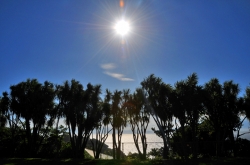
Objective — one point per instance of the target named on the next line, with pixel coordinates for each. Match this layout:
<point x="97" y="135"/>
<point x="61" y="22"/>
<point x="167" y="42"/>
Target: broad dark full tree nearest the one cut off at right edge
<point x="223" y="109"/>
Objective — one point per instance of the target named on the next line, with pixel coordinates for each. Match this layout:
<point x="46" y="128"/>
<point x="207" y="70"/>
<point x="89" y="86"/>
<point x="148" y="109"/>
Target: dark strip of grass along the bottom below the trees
<point x="39" y="161"/>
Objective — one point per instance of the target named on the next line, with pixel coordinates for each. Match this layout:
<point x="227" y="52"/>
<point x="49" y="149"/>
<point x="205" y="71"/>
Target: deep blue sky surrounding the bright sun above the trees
<point x="61" y="40"/>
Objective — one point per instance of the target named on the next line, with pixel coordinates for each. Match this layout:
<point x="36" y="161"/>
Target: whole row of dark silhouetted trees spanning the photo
<point x="191" y="119"/>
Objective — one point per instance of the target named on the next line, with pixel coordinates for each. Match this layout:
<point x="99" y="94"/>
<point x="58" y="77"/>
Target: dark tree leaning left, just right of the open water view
<point x="157" y="98"/>
